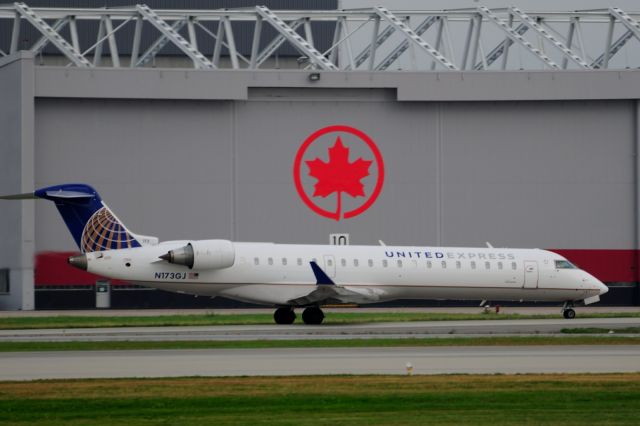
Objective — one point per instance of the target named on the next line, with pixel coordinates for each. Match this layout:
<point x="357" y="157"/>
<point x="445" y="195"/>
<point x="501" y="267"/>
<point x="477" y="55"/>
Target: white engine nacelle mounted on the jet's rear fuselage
<point x="204" y="254"/>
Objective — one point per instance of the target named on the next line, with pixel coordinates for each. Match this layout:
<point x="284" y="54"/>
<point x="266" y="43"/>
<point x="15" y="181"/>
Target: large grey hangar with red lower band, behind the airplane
<point x="502" y="126"/>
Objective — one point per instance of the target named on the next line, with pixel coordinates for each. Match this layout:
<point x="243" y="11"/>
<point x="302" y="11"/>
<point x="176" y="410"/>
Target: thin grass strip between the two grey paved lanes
<point x="321" y="343"/>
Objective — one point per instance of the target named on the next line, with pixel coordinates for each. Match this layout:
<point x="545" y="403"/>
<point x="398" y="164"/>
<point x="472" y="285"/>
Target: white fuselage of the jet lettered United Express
<point x="275" y="274"/>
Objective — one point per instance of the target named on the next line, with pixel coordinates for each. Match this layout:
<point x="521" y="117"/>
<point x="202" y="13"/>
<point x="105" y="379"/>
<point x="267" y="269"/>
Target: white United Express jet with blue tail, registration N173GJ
<point x="291" y="276"/>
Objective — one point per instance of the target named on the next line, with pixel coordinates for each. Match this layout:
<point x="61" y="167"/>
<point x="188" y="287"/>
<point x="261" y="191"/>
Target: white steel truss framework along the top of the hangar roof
<point x="370" y="39"/>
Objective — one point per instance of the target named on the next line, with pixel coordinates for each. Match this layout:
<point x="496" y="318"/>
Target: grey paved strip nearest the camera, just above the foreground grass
<point x="234" y="362"/>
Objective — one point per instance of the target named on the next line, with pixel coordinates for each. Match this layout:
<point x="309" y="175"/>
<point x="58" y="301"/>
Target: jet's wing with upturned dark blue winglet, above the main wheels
<point x="327" y="291"/>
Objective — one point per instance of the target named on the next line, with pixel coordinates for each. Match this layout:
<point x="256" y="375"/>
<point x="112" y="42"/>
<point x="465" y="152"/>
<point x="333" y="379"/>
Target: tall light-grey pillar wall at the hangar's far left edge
<point x="16" y="176"/>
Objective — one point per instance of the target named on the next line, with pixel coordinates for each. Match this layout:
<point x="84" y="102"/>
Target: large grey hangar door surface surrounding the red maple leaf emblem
<point x="523" y="174"/>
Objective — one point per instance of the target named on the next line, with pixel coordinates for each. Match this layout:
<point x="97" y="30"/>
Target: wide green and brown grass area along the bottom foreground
<point x="609" y="399"/>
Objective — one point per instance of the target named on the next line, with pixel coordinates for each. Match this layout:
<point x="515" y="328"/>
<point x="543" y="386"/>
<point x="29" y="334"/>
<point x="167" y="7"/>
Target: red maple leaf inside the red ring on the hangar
<point x="338" y="175"/>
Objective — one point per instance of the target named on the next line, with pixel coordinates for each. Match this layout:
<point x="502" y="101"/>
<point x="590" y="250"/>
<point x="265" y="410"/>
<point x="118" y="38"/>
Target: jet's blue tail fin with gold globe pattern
<point x="93" y="226"/>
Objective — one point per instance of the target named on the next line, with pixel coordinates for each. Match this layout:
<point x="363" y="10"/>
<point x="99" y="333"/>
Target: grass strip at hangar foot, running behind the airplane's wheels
<point x="13" y="323"/>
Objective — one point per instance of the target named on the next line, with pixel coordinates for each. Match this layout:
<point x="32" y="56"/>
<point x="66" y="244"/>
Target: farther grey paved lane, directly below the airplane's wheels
<point x="305" y="332"/>
